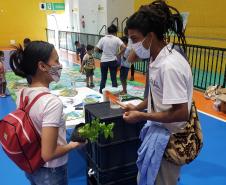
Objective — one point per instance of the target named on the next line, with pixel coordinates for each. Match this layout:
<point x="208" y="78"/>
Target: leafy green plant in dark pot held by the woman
<point x="91" y="131"/>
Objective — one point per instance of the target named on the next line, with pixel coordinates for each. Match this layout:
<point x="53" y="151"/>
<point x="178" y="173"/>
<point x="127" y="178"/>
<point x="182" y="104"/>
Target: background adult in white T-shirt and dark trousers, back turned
<point x="112" y="48"/>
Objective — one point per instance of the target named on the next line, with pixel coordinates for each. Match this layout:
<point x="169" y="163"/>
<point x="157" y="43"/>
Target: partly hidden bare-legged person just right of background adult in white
<point x="125" y="66"/>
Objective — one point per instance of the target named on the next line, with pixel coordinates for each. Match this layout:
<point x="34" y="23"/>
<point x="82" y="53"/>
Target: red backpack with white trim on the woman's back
<point x="19" y="138"/>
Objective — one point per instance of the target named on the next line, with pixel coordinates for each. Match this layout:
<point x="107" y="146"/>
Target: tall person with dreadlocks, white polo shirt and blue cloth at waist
<point x="170" y="94"/>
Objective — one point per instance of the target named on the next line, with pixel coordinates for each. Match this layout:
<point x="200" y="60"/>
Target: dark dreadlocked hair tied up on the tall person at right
<point x="160" y="18"/>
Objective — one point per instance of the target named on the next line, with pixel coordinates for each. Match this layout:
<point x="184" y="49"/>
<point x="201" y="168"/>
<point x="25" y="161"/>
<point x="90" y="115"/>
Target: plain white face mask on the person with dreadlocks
<point x="140" y="51"/>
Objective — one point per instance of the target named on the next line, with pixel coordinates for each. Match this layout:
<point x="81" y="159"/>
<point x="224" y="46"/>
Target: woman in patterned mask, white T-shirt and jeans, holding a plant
<point x="40" y="61"/>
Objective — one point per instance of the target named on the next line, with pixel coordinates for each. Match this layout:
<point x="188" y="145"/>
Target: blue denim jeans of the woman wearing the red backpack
<point x="49" y="176"/>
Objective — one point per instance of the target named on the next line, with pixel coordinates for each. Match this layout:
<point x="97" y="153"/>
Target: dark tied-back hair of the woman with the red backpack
<point x="25" y="62"/>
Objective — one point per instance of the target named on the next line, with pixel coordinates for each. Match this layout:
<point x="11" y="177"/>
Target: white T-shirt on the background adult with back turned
<point x="110" y="45"/>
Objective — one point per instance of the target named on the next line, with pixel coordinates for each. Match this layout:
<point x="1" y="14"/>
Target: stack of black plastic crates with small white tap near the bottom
<point x="112" y="161"/>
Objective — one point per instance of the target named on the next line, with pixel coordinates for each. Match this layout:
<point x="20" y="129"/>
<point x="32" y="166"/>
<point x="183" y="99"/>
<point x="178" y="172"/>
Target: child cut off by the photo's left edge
<point x="2" y="76"/>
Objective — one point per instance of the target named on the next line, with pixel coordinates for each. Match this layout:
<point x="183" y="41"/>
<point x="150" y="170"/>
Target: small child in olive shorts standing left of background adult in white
<point x="88" y="66"/>
